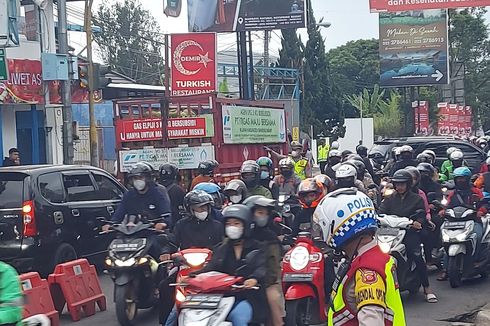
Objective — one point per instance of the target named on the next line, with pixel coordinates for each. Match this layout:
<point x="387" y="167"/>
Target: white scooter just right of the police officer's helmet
<point x="390" y="237"/>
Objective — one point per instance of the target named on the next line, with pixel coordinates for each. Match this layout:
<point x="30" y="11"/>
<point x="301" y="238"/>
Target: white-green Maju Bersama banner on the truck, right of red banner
<point x="253" y="125"/>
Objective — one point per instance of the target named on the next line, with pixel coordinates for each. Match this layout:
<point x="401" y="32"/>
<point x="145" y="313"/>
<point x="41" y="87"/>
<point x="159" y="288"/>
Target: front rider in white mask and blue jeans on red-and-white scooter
<point x="229" y="258"/>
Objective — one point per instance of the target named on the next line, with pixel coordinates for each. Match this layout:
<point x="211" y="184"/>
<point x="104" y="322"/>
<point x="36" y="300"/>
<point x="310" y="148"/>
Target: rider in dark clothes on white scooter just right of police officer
<point x="405" y="203"/>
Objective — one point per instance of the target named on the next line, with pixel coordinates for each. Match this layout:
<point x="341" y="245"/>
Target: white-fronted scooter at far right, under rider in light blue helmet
<point x="459" y="241"/>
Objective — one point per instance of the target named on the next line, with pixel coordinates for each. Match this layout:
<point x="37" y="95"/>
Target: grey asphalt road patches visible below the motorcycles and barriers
<point x="452" y="302"/>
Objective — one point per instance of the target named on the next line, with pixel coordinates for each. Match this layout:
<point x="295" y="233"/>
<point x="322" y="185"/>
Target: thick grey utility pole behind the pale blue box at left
<point x="65" y="87"/>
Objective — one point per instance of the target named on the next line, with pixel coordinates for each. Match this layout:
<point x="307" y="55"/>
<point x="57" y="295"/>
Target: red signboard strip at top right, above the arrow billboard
<point x="402" y="5"/>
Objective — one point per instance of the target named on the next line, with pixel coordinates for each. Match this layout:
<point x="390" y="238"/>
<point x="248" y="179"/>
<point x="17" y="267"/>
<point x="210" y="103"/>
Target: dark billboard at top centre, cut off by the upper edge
<point x="245" y="15"/>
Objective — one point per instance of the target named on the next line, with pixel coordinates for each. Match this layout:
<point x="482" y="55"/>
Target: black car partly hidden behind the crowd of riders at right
<point x="472" y="154"/>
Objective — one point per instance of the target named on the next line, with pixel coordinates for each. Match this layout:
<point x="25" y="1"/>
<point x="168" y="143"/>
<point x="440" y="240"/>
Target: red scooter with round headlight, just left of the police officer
<point x="303" y="282"/>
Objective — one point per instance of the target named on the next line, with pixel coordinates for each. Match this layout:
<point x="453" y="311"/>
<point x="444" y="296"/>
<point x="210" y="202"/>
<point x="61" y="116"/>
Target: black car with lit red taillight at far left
<point x="52" y="213"/>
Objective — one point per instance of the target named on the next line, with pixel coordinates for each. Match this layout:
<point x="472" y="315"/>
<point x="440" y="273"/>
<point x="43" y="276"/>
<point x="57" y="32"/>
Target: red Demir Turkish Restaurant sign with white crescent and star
<point x="193" y="58"/>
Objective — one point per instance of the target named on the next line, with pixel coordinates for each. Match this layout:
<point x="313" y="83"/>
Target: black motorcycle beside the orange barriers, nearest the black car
<point x="134" y="272"/>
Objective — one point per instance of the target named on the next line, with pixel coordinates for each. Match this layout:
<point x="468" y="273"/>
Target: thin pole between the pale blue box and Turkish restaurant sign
<point x="94" y="152"/>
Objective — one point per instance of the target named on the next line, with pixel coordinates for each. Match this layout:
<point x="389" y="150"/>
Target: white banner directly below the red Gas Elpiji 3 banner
<point x="183" y="157"/>
